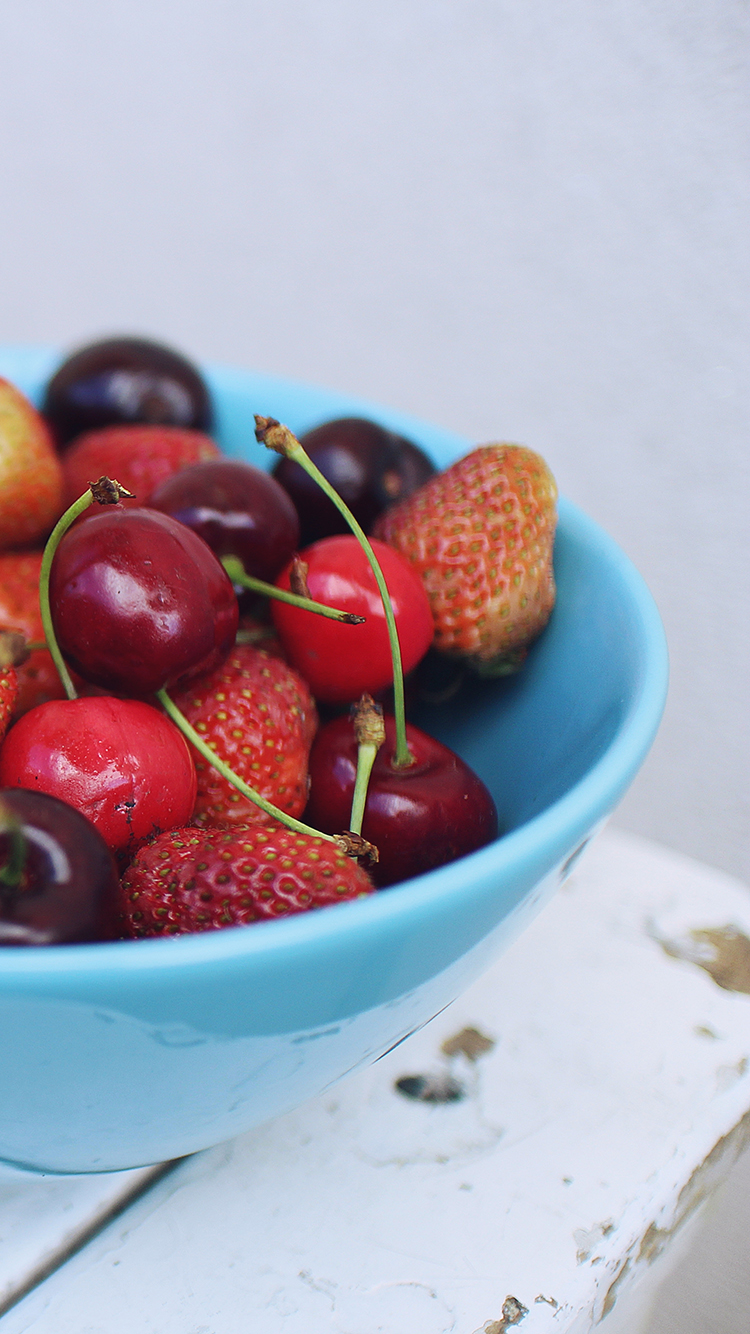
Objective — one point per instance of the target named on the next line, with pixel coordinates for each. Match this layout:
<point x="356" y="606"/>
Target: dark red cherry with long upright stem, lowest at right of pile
<point x="420" y="818"/>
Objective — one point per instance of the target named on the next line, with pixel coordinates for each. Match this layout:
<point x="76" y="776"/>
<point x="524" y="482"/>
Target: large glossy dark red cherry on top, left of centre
<point x="139" y="602"/>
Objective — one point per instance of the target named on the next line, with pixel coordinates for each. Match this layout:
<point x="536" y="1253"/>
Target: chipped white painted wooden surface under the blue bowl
<point x="615" y="1100"/>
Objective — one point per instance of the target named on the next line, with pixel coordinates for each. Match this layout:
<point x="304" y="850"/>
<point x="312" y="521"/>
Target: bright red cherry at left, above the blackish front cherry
<point x="119" y="762"/>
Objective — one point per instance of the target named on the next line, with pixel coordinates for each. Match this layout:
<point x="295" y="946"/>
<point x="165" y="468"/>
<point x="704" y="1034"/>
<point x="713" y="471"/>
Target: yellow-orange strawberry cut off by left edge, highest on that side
<point x="31" y="478"/>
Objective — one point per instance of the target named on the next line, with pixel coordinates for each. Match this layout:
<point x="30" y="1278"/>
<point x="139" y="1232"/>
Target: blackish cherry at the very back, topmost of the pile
<point x="121" y="381"/>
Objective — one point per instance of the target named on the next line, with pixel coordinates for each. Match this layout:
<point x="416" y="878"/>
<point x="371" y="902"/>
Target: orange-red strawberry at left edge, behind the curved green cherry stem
<point x="19" y="610"/>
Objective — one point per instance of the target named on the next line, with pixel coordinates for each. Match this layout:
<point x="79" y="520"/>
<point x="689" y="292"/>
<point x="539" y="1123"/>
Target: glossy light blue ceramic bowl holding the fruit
<point x="131" y="1053"/>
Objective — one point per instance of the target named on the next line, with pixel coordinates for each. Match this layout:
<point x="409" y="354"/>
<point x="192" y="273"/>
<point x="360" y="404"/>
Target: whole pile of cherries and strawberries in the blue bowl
<point x="202" y="673"/>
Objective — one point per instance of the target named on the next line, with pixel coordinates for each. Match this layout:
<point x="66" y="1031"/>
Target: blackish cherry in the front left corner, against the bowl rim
<point x="58" y="878"/>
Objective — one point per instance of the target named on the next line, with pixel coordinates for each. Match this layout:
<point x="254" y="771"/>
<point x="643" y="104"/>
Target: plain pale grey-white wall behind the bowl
<point x="518" y="218"/>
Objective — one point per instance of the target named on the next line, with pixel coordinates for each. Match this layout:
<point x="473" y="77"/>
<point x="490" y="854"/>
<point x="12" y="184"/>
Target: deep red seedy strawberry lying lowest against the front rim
<point x="202" y="880"/>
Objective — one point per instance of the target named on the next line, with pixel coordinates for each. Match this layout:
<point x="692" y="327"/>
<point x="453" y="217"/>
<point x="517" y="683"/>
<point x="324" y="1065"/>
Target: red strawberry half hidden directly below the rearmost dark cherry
<point x="139" y="457"/>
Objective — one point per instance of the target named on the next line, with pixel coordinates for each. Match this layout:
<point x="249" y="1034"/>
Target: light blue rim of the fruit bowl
<point x="581" y="809"/>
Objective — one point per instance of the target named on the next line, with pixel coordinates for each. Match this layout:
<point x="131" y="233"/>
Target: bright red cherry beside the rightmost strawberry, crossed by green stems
<point x="342" y="662"/>
